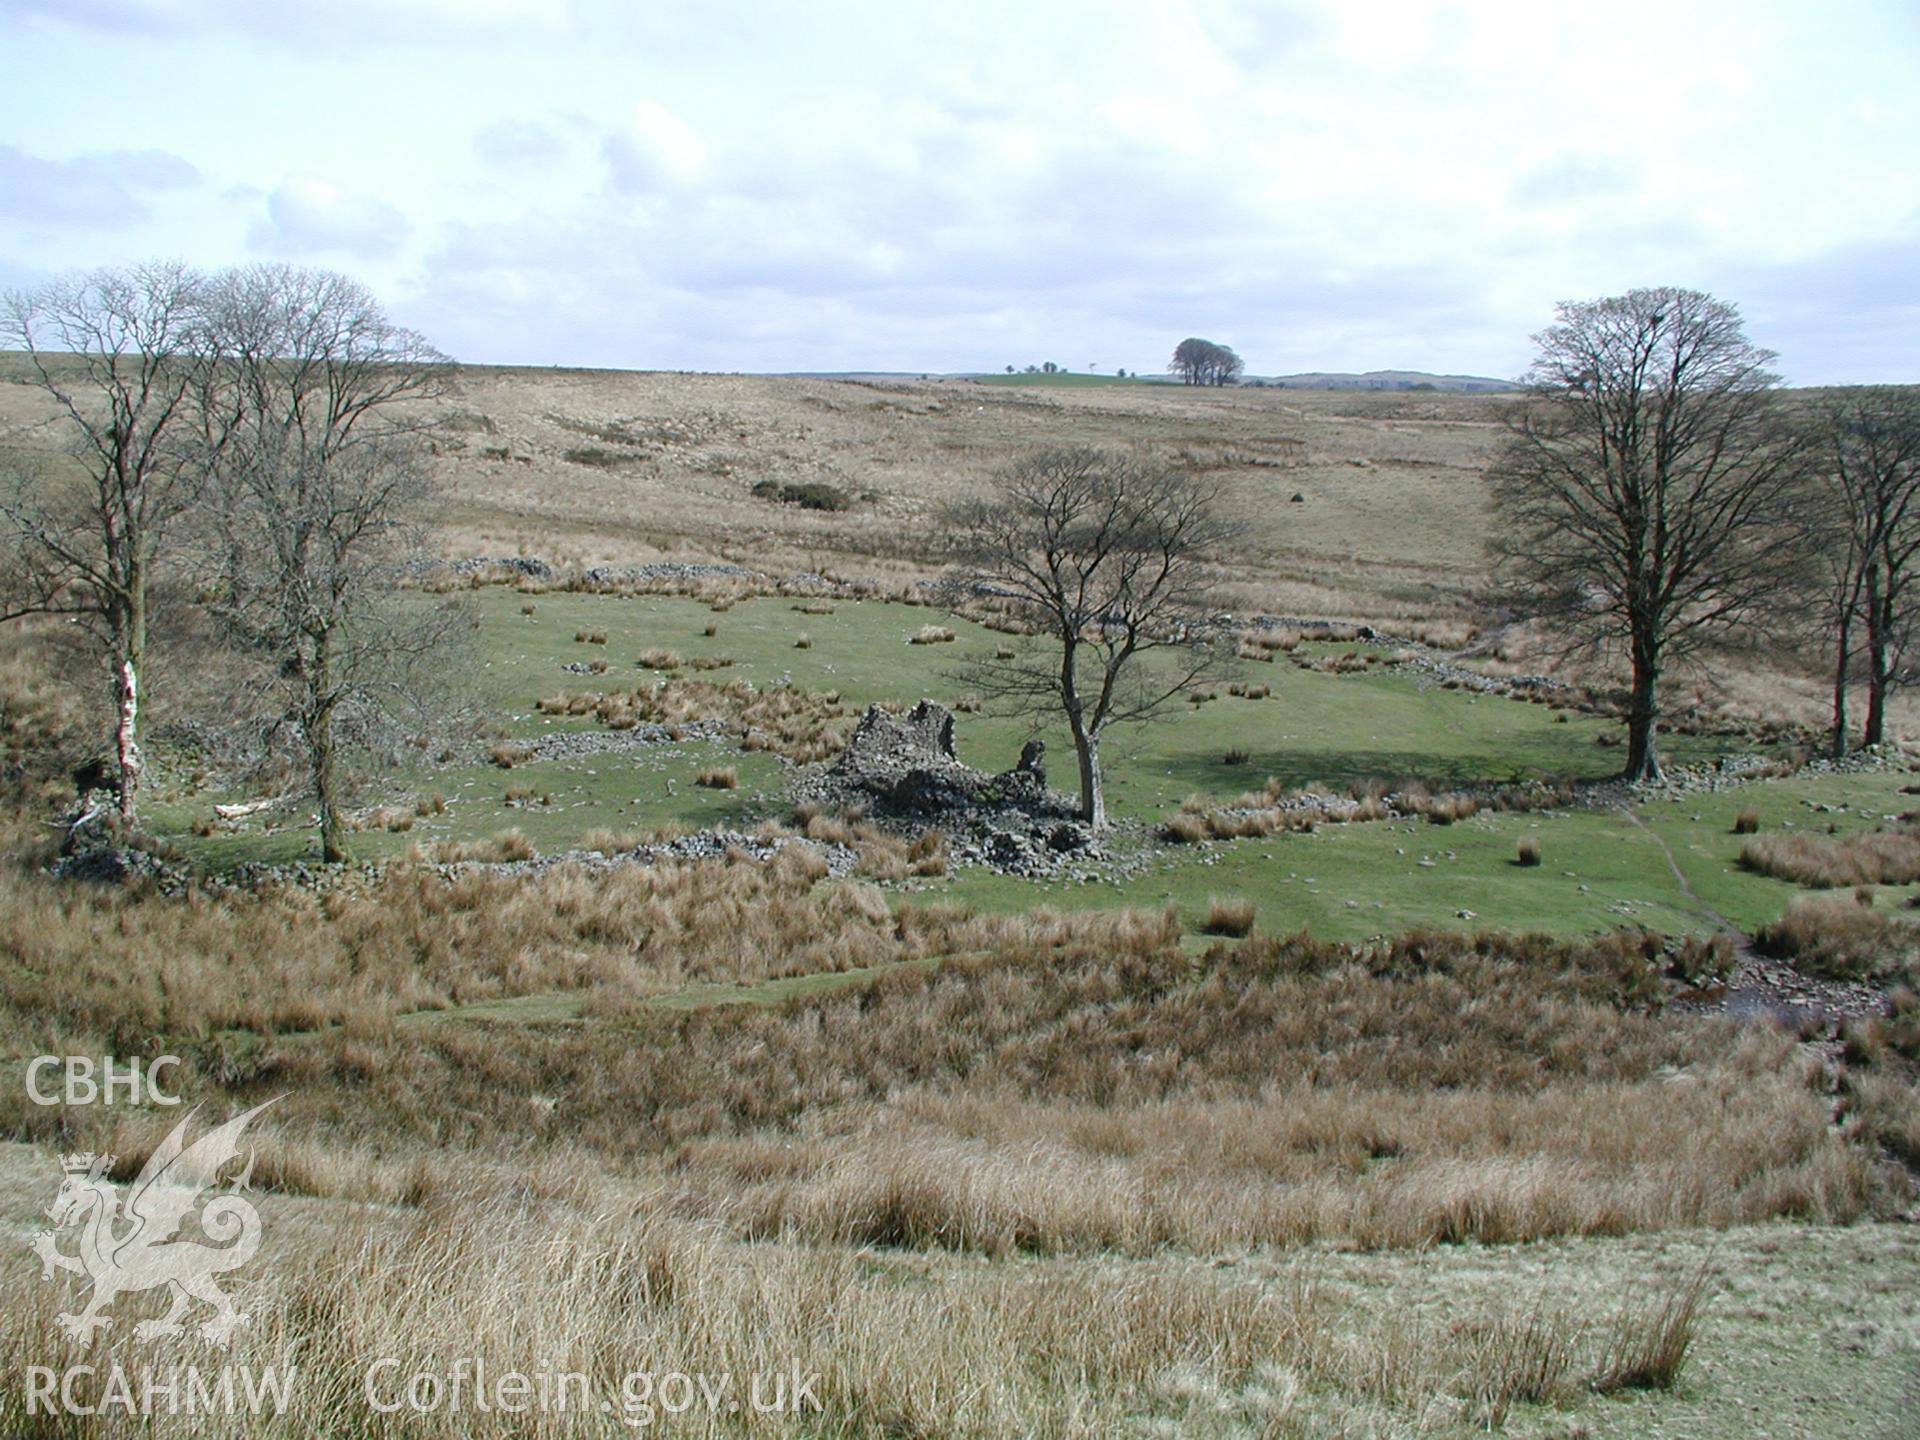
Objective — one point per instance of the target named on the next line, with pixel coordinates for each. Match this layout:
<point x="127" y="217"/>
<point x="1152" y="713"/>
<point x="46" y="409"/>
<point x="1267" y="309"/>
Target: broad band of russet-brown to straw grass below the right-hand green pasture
<point x="1084" y="1086"/>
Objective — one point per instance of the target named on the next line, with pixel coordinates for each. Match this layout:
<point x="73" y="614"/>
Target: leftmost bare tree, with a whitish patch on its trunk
<point x="124" y="356"/>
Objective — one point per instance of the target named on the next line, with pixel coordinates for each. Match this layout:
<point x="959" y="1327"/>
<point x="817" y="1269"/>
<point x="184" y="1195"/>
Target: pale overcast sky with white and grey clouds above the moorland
<point x="955" y="187"/>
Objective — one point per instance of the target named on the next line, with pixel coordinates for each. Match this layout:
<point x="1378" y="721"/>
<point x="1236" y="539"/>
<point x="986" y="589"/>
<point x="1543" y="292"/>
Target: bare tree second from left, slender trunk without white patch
<point x="320" y="498"/>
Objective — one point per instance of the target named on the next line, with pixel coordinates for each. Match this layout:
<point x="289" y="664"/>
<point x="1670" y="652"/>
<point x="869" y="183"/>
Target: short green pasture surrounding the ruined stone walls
<point x="1600" y="867"/>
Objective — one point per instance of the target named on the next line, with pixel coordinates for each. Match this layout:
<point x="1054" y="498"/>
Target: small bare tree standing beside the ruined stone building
<point x="1107" y="560"/>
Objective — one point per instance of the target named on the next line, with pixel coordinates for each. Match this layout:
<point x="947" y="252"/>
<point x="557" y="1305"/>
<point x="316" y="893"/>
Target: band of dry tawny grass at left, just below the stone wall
<point x="295" y="961"/>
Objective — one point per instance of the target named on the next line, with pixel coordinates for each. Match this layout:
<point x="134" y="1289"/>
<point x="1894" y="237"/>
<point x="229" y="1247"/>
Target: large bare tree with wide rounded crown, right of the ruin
<point x="1650" y="494"/>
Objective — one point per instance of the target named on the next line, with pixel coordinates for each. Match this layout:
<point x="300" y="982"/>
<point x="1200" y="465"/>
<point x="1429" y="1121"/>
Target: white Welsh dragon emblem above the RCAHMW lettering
<point x="133" y="1249"/>
